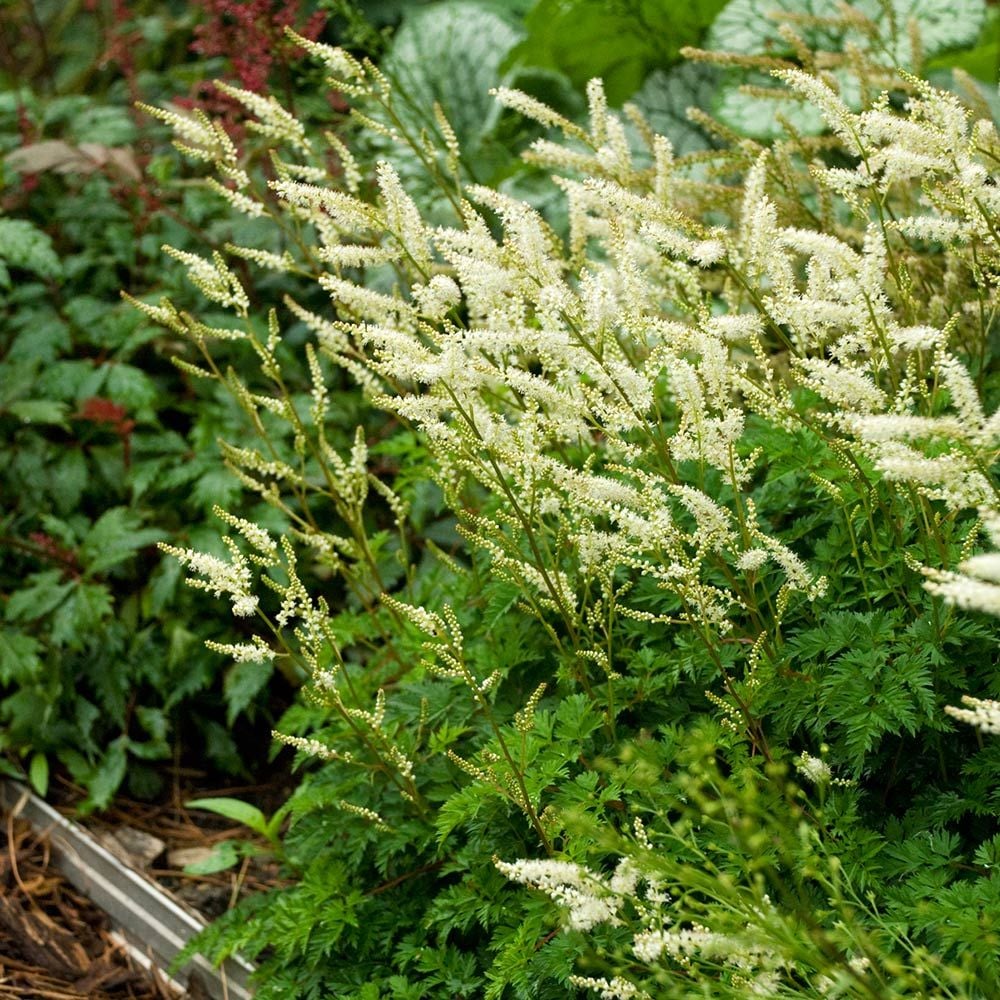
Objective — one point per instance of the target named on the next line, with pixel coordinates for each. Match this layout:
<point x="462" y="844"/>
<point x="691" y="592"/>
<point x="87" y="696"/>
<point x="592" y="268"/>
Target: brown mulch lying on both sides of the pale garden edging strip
<point x="57" y="945"/>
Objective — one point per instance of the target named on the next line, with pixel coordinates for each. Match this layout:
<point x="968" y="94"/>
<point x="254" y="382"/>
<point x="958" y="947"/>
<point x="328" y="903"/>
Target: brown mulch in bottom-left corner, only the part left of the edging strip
<point x="54" y="943"/>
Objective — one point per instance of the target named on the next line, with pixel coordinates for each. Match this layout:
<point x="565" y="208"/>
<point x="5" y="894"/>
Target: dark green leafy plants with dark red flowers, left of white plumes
<point x="106" y="447"/>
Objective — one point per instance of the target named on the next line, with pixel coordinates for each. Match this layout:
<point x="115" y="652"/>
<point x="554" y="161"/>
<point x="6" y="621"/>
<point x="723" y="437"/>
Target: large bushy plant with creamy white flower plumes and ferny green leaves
<point x="629" y="666"/>
